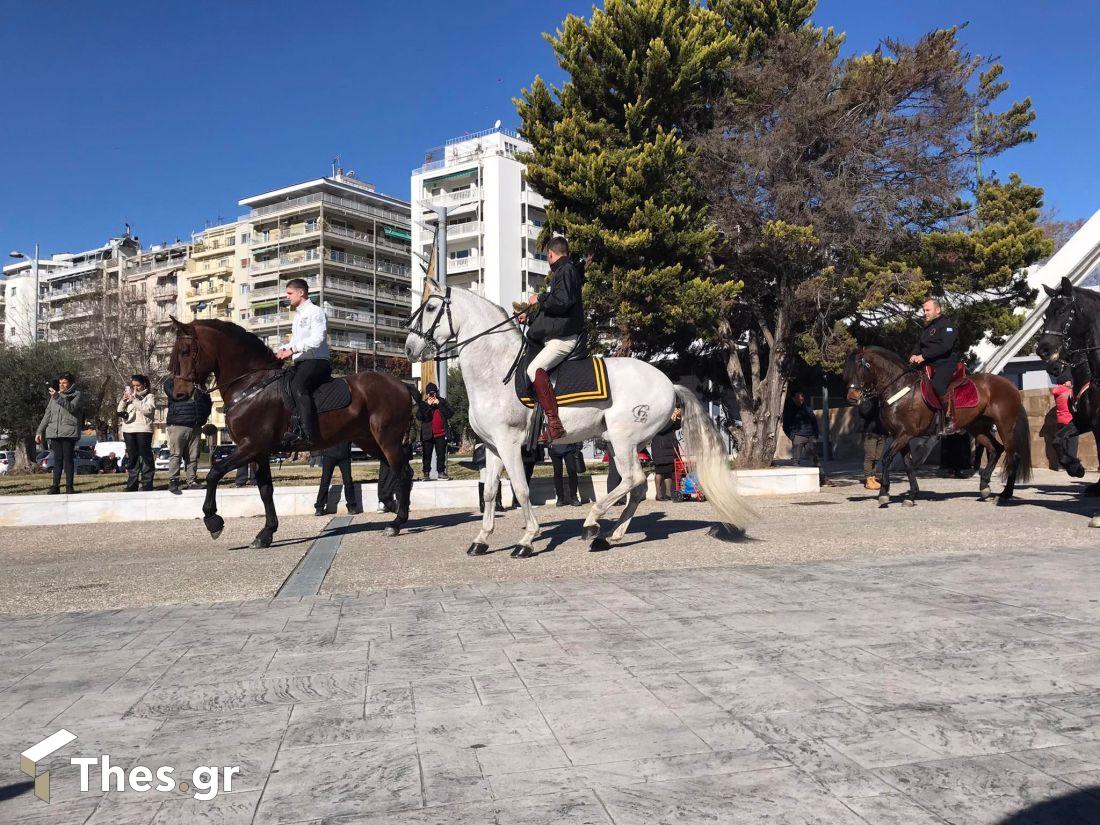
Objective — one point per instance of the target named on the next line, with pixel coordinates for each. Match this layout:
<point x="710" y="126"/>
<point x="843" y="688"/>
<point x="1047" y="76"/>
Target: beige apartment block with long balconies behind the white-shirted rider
<point x="351" y="245"/>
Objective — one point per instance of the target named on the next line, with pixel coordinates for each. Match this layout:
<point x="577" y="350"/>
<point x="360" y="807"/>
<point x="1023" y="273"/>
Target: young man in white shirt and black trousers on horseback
<point x="309" y="350"/>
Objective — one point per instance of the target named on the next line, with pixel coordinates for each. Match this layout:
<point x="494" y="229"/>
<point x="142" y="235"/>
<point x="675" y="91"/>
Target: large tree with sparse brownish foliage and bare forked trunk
<point x="835" y="184"/>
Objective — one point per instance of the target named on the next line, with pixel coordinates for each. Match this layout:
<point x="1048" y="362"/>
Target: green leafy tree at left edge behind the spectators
<point x="26" y="372"/>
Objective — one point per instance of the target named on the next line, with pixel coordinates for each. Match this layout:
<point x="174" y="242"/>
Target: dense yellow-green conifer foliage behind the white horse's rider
<point x="610" y="153"/>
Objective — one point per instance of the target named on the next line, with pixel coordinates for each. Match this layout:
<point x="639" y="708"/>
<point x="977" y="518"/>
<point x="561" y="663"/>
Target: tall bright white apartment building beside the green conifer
<point x="493" y="217"/>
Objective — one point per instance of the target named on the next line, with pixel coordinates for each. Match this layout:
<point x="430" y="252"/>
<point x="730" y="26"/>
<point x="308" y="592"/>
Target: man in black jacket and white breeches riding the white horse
<point x="557" y="323"/>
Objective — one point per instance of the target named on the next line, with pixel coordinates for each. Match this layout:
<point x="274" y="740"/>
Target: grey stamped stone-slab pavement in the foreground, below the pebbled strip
<point x="944" y="689"/>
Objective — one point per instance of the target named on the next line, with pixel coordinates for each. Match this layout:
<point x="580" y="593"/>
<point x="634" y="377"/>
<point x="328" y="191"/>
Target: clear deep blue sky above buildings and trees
<point x="166" y="115"/>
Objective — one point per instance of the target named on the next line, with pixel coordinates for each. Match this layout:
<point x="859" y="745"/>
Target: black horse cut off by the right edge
<point x="1072" y="338"/>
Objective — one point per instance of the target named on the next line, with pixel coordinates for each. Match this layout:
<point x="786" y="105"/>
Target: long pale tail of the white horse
<point x="707" y="456"/>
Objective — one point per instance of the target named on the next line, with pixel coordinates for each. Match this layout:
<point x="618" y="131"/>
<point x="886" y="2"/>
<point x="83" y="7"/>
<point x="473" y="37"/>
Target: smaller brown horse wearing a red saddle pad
<point x="874" y="372"/>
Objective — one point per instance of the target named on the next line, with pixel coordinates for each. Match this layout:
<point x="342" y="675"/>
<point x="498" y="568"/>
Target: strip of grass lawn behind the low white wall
<point x="287" y="477"/>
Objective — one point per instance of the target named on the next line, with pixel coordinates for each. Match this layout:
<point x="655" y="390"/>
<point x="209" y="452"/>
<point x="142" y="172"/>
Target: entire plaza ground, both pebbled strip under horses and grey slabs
<point x="937" y="665"/>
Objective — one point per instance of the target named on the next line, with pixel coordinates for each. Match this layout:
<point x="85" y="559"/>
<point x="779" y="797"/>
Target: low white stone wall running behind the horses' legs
<point x="235" y="503"/>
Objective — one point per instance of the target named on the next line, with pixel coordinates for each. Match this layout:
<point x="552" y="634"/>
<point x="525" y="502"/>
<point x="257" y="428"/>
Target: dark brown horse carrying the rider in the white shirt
<point x="248" y="377"/>
